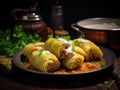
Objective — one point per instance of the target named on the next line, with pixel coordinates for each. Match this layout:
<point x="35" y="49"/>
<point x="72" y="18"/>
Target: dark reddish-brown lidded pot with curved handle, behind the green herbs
<point x="31" y="22"/>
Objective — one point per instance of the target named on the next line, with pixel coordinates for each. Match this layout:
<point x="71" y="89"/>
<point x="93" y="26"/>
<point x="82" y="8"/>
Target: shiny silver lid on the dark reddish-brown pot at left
<point x="31" y="17"/>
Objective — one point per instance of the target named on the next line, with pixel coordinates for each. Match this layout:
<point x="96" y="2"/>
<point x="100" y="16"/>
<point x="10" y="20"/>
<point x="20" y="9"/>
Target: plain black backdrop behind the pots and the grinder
<point x="74" y="10"/>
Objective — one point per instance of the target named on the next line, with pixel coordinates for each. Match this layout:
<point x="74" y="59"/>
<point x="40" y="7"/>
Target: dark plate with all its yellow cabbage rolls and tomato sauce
<point x="58" y="57"/>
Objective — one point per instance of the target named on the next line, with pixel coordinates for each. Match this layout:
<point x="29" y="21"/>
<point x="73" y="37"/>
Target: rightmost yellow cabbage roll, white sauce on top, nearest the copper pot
<point x="92" y="51"/>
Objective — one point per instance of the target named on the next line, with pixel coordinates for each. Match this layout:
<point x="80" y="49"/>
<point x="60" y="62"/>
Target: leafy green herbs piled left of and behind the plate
<point x="11" y="43"/>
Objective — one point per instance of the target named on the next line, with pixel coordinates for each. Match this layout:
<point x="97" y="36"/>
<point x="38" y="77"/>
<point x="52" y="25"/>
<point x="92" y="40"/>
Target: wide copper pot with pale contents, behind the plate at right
<point x="102" y="31"/>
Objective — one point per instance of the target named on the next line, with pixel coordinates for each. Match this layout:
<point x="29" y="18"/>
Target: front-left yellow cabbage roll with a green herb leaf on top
<point x="44" y="61"/>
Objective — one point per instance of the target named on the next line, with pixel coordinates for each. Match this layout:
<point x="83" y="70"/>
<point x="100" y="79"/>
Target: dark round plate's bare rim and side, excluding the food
<point x="108" y="57"/>
